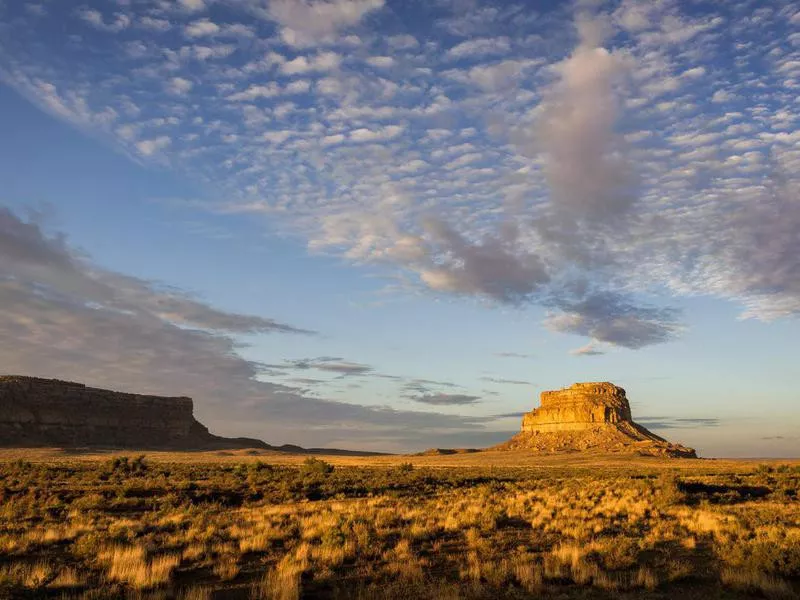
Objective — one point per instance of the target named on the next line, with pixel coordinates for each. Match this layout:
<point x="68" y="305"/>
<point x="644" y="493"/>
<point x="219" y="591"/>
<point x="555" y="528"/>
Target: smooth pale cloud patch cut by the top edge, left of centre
<point x="309" y="22"/>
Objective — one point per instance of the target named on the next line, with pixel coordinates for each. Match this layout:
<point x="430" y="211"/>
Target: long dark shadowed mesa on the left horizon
<point x="50" y="412"/>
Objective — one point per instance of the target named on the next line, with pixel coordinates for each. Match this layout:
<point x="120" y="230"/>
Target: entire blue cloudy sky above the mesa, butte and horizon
<point x="389" y="225"/>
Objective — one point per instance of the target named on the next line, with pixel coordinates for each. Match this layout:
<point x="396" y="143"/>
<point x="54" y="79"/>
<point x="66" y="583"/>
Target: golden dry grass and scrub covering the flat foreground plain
<point x="186" y="530"/>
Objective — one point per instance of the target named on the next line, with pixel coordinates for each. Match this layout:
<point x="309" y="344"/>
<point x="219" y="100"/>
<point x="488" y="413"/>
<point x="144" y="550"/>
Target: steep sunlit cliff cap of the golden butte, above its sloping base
<point x="578" y="407"/>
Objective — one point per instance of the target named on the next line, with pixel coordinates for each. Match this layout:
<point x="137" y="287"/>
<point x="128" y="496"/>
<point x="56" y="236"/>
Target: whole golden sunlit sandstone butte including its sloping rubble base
<point x="594" y="416"/>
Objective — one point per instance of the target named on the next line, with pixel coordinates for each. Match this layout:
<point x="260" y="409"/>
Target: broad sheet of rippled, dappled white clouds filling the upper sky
<point x="619" y="163"/>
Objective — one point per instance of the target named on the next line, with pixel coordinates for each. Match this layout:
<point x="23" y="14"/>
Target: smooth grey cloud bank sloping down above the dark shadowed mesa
<point x="70" y="319"/>
